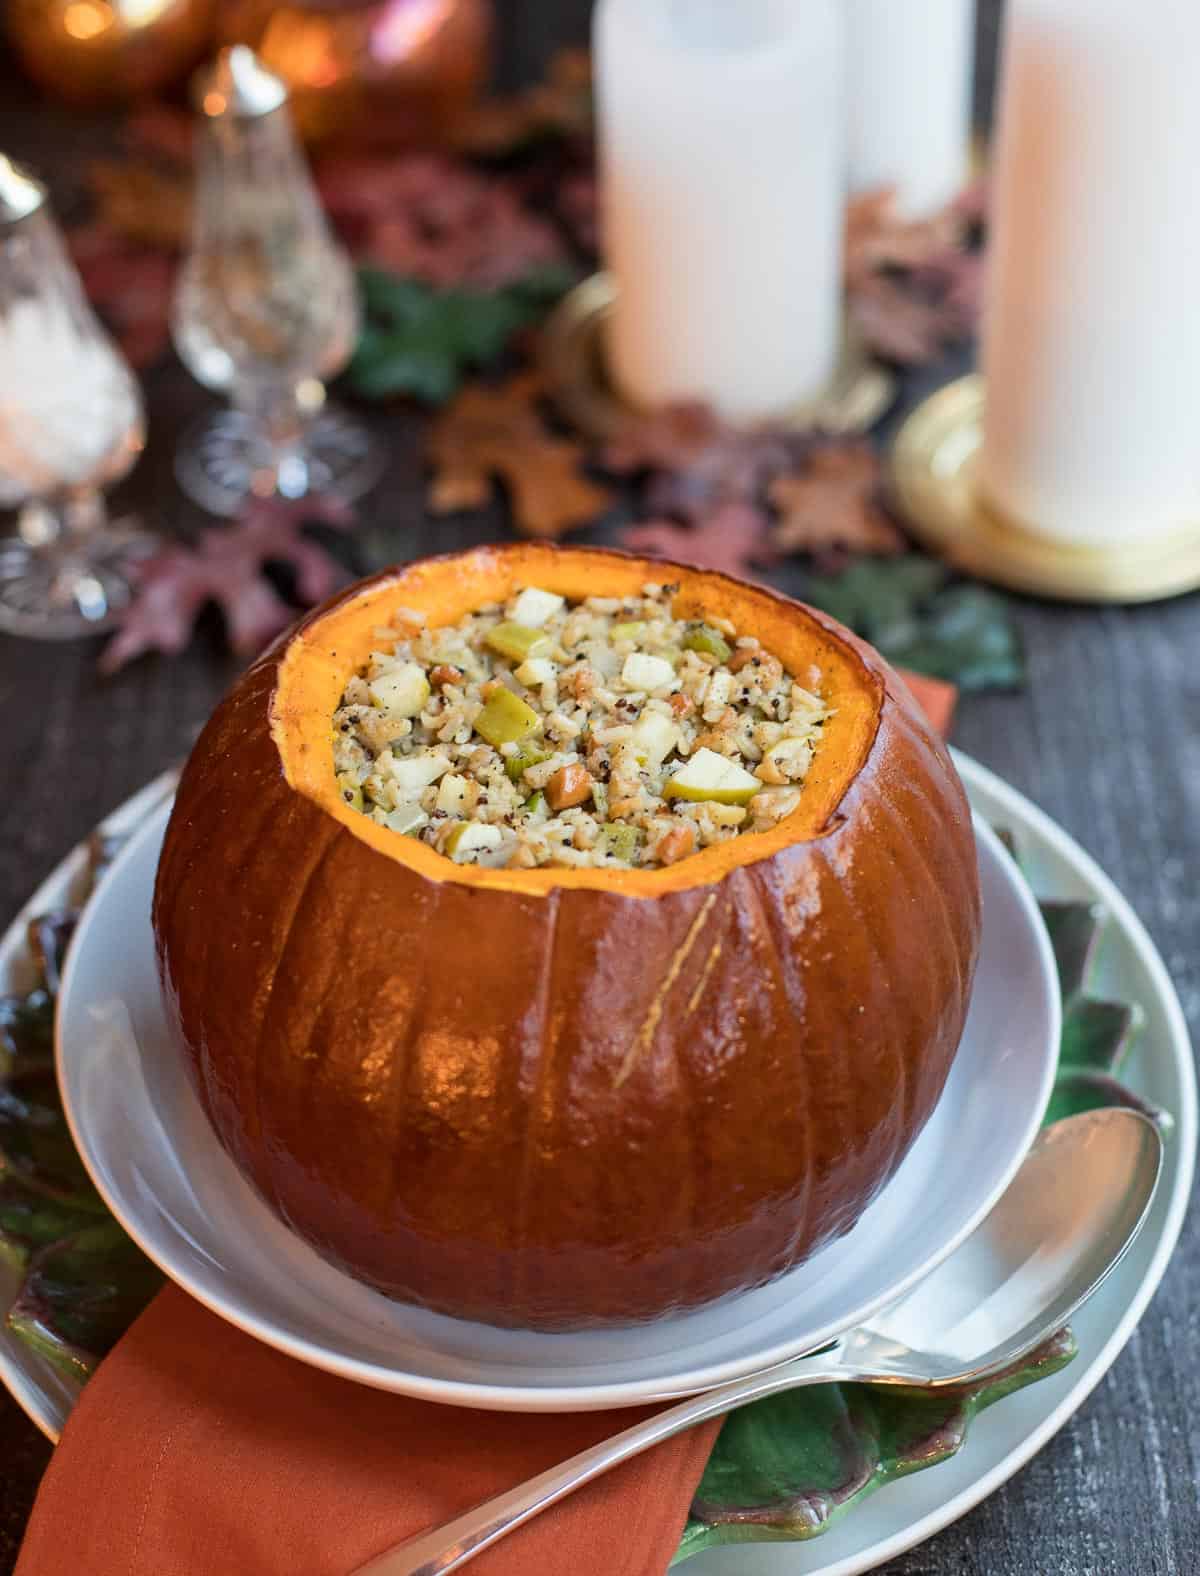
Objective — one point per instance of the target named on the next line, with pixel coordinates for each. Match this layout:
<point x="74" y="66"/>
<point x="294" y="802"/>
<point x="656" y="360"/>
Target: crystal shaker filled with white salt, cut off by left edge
<point x="70" y="425"/>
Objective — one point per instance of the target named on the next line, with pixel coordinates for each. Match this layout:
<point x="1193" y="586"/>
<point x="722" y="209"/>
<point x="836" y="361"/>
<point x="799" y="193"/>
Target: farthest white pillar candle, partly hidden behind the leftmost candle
<point x="911" y="69"/>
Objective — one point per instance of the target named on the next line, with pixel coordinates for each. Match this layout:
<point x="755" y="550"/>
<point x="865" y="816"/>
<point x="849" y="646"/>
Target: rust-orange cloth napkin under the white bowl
<point x="199" y="1452"/>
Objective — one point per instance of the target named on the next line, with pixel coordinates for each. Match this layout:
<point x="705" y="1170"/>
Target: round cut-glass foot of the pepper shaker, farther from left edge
<point x="220" y="458"/>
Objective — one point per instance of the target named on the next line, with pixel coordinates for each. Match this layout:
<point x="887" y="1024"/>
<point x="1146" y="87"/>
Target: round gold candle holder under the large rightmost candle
<point x="934" y="485"/>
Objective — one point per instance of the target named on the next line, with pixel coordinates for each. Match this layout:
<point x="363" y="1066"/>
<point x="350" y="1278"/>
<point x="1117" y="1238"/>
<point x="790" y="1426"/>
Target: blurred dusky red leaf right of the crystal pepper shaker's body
<point x="438" y="220"/>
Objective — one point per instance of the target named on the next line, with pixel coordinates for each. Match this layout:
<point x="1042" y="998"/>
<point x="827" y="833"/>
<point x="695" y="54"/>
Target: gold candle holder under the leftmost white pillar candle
<point x="578" y="376"/>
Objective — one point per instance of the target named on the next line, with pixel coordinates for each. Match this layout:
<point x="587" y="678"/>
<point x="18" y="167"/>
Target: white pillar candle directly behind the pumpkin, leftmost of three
<point x="721" y="127"/>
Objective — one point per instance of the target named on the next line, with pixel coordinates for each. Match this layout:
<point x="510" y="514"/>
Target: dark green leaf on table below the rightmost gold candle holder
<point x="922" y="619"/>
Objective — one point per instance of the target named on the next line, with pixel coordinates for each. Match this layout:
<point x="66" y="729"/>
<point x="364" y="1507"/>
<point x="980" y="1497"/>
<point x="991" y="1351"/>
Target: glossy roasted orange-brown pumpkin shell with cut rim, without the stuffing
<point x="557" y="1099"/>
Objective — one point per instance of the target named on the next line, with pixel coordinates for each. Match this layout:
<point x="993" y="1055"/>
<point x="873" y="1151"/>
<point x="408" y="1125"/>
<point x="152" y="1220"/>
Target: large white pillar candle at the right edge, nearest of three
<point x="1092" y="346"/>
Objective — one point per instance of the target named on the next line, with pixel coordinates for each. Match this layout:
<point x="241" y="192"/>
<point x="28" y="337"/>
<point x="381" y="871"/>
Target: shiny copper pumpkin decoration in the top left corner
<point x="94" y="53"/>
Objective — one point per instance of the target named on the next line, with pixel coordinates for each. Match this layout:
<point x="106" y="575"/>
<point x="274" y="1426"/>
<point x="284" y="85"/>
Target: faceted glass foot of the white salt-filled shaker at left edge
<point x="70" y="587"/>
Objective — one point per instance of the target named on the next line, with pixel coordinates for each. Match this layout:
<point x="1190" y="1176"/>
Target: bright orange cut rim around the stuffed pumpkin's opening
<point x="334" y="644"/>
